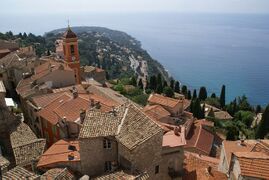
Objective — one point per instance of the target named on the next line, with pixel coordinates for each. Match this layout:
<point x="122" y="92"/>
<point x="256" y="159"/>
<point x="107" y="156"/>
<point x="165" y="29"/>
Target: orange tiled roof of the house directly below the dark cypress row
<point x="162" y="100"/>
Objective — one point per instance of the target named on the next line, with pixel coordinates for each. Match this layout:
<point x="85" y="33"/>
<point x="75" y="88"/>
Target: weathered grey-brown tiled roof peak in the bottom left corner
<point x="19" y="173"/>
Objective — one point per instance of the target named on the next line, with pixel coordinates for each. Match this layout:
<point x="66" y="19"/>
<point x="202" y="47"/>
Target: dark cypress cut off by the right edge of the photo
<point x="263" y="127"/>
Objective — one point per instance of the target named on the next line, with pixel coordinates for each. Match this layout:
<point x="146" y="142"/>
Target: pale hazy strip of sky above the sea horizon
<point x="132" y="6"/>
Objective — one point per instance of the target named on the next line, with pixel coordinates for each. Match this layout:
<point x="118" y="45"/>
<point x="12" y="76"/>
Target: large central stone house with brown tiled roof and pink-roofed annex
<point x="127" y="139"/>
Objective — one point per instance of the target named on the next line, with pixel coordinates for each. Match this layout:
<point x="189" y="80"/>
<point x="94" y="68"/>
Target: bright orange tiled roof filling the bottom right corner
<point x="253" y="164"/>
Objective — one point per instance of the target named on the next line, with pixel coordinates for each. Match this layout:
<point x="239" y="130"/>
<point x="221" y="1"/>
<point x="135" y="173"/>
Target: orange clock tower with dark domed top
<point x="71" y="55"/>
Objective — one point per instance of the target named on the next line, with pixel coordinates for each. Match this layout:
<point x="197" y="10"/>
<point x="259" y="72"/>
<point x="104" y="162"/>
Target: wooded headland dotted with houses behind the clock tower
<point x="115" y="51"/>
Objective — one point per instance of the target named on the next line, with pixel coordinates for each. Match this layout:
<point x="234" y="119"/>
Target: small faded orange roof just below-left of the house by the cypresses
<point x="156" y="112"/>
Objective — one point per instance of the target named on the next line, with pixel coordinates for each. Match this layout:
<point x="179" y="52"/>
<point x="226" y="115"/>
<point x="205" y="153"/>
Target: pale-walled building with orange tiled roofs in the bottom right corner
<point x="236" y="154"/>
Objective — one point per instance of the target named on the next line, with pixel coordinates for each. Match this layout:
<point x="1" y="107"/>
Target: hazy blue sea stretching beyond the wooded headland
<point x="197" y="49"/>
